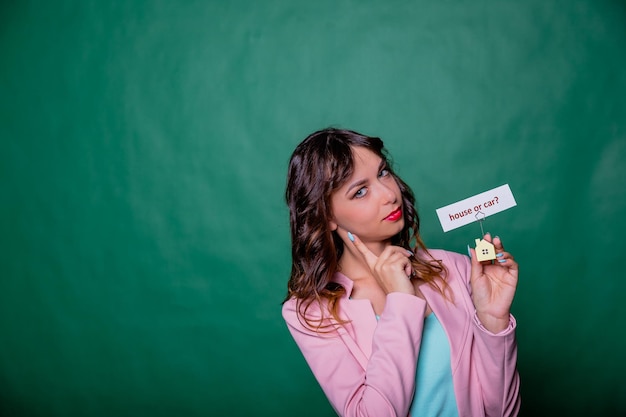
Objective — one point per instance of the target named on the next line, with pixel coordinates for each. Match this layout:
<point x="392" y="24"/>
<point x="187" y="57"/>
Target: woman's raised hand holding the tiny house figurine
<point x="493" y="287"/>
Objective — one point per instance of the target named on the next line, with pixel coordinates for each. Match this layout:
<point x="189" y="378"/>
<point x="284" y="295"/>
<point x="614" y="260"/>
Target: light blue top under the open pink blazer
<point x="434" y="392"/>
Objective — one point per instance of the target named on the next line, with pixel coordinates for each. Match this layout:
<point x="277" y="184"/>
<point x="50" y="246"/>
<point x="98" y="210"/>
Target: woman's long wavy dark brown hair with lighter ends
<point x="319" y="165"/>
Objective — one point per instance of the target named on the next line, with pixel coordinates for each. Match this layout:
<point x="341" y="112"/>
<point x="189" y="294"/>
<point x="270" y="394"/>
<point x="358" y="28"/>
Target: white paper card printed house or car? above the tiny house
<point x="476" y="208"/>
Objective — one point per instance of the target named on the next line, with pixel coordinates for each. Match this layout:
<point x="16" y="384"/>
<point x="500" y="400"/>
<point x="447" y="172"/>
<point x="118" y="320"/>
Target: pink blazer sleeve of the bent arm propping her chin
<point x="381" y="385"/>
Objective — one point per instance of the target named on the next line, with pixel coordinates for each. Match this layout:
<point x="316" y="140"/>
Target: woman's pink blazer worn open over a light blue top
<point x="367" y="367"/>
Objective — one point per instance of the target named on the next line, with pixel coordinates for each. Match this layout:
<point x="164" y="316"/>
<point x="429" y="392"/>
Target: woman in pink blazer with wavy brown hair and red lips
<point x="388" y="327"/>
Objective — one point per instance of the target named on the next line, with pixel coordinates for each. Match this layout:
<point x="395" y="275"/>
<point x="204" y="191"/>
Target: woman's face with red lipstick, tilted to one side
<point x="369" y="203"/>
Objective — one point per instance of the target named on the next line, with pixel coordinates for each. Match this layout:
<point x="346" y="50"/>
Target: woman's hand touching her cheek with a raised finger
<point x="392" y="268"/>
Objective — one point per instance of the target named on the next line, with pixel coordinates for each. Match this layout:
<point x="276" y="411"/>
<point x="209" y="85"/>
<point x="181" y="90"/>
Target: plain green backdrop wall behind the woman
<point x="143" y="235"/>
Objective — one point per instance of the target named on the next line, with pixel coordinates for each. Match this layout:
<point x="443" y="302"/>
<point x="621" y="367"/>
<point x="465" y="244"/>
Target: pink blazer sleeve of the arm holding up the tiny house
<point x="494" y="358"/>
